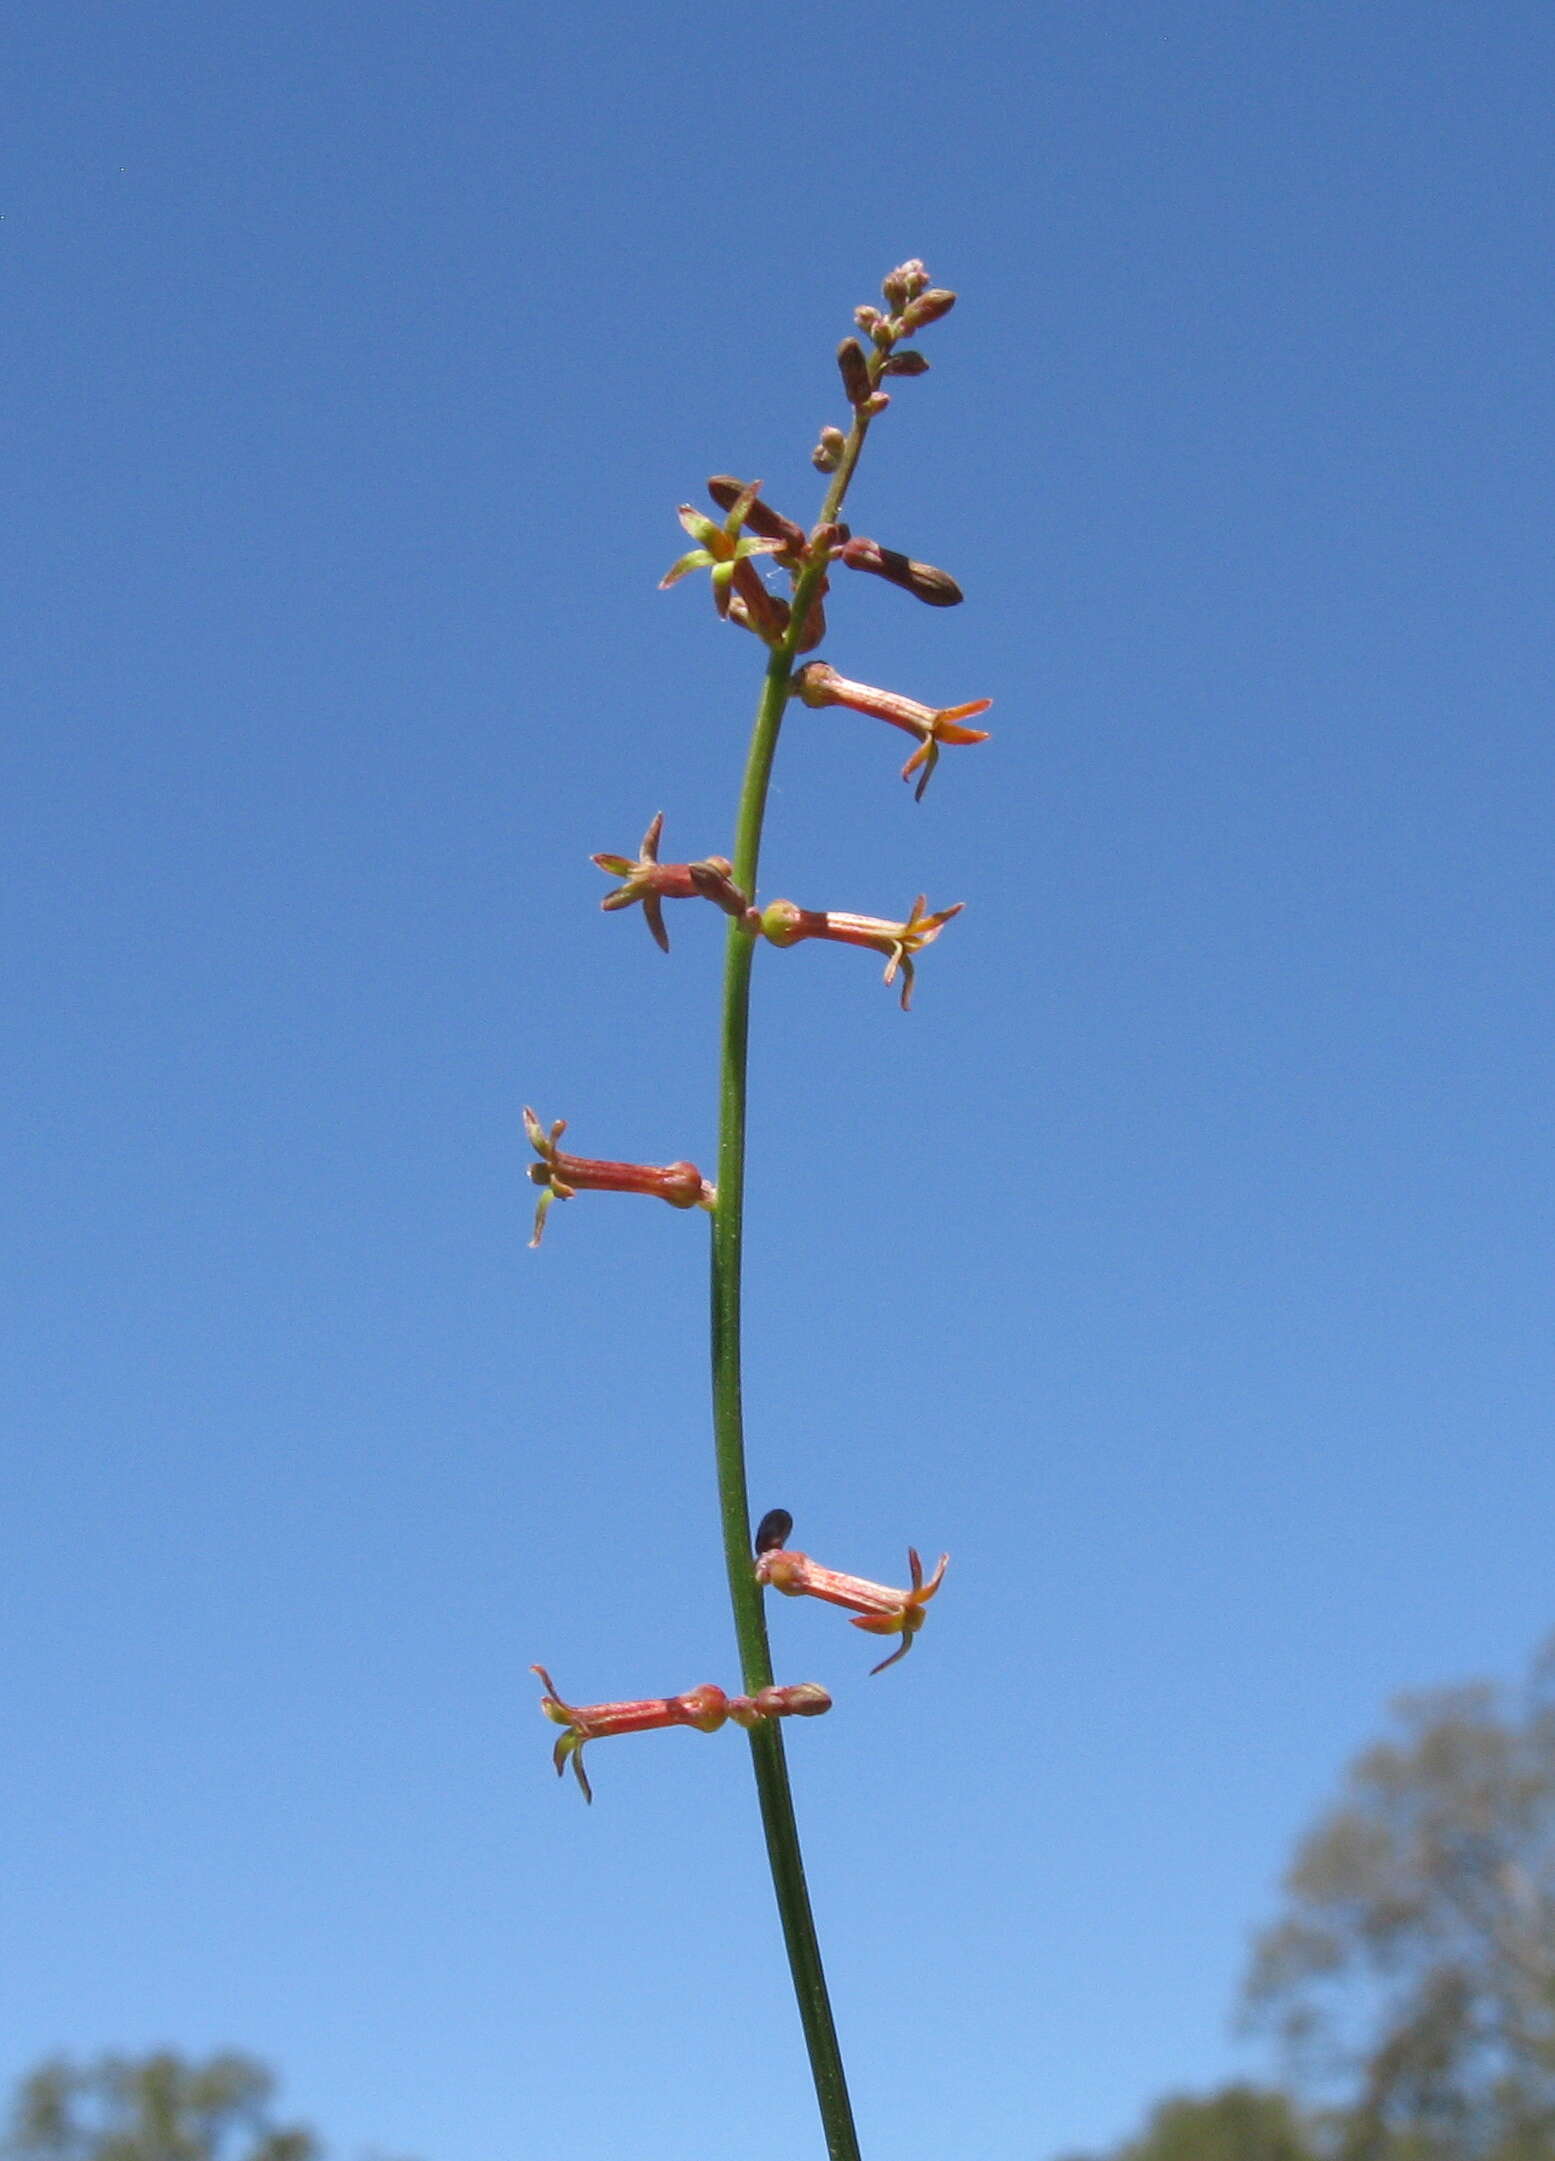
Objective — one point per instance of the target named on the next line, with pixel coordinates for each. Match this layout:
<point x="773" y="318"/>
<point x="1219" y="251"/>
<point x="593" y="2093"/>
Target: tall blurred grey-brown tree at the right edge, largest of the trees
<point x="1414" y="1972"/>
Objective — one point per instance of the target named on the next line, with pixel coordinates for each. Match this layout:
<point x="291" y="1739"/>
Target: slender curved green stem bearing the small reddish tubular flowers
<point x="729" y="1427"/>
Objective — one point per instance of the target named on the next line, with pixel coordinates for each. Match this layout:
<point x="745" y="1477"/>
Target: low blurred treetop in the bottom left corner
<point x="154" y="2108"/>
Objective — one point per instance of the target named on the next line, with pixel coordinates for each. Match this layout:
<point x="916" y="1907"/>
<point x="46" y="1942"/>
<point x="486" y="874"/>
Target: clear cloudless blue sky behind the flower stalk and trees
<point x="1182" y="1263"/>
